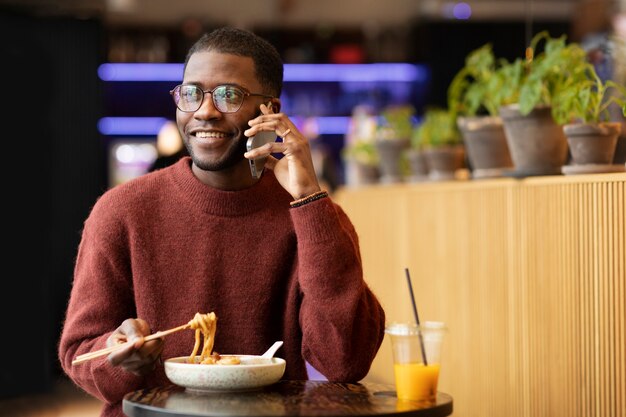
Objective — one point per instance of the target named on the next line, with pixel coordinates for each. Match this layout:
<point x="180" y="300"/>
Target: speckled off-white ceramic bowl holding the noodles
<point x="253" y="372"/>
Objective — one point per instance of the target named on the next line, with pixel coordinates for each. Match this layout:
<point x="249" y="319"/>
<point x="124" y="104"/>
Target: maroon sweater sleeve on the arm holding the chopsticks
<point x="99" y="300"/>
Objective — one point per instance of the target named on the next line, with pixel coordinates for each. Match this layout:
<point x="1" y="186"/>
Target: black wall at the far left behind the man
<point x="53" y="171"/>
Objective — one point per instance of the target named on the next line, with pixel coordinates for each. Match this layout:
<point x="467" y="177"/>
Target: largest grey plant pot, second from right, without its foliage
<point x="537" y="144"/>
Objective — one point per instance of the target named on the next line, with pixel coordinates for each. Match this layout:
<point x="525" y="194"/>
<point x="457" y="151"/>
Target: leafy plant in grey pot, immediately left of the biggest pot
<point x="473" y="96"/>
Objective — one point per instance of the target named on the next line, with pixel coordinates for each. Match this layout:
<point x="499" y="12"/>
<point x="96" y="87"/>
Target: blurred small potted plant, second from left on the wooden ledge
<point x="393" y="137"/>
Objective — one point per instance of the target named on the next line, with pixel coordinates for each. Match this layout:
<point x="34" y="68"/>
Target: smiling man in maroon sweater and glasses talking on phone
<point x="274" y="258"/>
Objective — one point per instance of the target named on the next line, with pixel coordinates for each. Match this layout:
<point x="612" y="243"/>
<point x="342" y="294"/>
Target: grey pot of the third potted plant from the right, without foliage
<point x="485" y="142"/>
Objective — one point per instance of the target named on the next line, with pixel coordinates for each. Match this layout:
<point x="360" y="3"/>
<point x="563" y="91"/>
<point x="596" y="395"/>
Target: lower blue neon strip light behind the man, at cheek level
<point x="150" y="126"/>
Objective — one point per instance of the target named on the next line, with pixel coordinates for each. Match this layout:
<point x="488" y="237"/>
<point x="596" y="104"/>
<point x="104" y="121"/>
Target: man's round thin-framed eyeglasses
<point x="226" y="98"/>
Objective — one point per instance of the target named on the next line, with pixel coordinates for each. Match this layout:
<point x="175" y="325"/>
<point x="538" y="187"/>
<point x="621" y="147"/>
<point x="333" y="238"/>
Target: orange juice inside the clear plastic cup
<point x="416" y="381"/>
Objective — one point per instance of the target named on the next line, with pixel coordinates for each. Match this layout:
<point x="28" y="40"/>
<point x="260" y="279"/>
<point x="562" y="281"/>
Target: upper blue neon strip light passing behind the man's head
<point x="402" y="72"/>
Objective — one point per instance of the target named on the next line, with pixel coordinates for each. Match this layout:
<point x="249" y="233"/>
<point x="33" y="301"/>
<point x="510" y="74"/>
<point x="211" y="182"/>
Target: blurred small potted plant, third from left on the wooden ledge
<point x="440" y="138"/>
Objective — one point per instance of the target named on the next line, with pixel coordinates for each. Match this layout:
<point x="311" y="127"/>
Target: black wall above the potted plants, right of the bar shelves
<point x="443" y="45"/>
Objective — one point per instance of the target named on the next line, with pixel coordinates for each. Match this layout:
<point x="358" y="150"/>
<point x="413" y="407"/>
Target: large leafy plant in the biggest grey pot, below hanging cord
<point x="536" y="142"/>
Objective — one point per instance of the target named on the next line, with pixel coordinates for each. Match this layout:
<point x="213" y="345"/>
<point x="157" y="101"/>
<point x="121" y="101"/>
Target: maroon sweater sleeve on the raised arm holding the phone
<point x="341" y="319"/>
